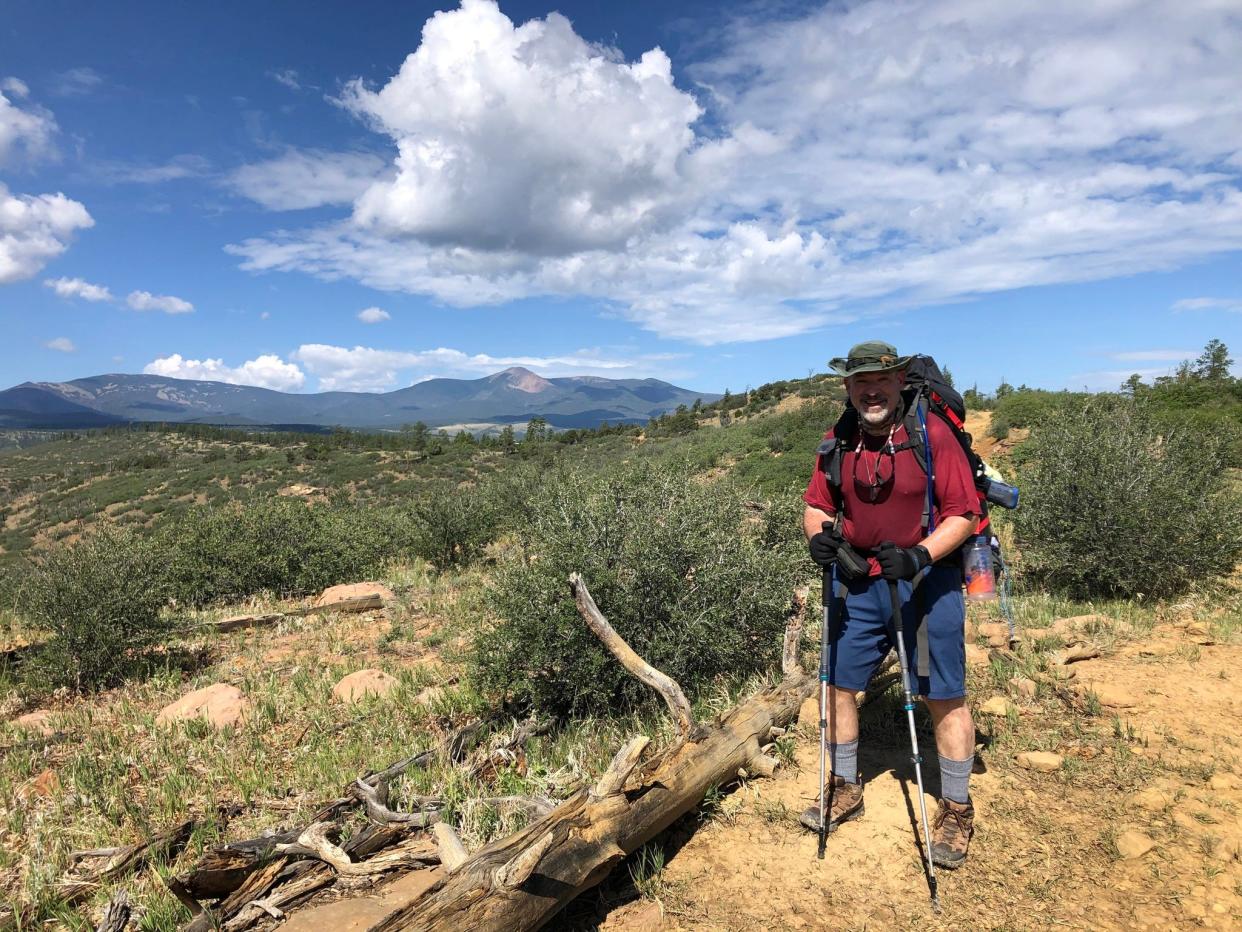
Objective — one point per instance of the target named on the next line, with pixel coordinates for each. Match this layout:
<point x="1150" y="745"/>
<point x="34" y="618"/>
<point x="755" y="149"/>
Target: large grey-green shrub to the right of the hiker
<point x="1113" y="508"/>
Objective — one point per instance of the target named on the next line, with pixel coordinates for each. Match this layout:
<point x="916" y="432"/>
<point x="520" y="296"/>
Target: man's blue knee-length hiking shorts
<point x="935" y="621"/>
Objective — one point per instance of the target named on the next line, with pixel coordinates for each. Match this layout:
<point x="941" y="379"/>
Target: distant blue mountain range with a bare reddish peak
<point x="511" y="397"/>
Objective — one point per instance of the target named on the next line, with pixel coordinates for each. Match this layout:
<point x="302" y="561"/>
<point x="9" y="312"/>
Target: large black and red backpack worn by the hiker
<point x="927" y="393"/>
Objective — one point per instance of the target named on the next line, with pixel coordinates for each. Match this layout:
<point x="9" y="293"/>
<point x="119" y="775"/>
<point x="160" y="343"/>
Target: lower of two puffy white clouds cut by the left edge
<point x="34" y="231"/>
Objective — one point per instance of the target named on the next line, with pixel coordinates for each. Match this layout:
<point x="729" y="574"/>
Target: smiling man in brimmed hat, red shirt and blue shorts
<point x="869" y="531"/>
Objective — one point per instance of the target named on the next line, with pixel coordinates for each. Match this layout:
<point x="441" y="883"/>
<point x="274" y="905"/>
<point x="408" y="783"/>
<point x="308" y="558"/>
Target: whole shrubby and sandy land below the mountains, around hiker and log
<point x="125" y="550"/>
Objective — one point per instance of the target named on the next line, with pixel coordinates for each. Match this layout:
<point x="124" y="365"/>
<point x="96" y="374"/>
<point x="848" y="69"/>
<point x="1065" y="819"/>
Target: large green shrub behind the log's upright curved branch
<point x="696" y="577"/>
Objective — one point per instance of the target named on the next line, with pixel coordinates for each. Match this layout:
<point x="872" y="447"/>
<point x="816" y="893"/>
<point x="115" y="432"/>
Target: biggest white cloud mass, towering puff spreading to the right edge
<point x="856" y="158"/>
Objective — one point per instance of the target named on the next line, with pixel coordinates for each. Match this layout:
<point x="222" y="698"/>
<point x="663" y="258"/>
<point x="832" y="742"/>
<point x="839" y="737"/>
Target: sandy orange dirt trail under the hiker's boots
<point x="1044" y="856"/>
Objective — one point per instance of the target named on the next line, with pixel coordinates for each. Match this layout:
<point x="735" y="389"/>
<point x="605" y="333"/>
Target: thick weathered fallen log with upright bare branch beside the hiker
<point x="521" y="882"/>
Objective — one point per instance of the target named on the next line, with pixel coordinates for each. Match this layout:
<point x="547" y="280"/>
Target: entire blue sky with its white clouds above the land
<point x="314" y="196"/>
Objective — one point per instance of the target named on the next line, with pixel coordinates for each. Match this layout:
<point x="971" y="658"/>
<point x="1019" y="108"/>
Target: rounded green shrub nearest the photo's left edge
<point x="102" y="601"/>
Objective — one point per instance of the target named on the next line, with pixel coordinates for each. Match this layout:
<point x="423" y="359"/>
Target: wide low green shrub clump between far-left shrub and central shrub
<point x="278" y="544"/>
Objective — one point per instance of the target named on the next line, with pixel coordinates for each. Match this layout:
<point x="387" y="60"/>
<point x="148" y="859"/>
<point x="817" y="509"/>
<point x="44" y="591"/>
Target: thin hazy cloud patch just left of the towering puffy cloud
<point x="307" y="178"/>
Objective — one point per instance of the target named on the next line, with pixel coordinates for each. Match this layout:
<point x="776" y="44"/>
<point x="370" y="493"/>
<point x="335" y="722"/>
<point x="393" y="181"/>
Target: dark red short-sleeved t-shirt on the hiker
<point x="885" y="495"/>
